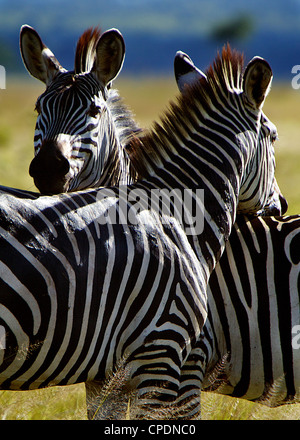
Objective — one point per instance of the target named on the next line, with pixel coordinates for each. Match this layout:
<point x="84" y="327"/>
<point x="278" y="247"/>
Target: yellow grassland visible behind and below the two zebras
<point x="147" y="97"/>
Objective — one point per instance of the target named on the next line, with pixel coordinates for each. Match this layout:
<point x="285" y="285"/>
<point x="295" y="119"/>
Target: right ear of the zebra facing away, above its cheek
<point x="257" y="81"/>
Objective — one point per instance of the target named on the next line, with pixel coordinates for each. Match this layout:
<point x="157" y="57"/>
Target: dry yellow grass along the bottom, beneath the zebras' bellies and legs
<point x="68" y="403"/>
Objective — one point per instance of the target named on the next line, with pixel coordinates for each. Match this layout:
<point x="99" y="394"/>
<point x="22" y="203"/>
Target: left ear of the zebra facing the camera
<point x="37" y="58"/>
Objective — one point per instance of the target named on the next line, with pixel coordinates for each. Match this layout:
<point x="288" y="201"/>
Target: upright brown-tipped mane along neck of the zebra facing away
<point x="222" y="78"/>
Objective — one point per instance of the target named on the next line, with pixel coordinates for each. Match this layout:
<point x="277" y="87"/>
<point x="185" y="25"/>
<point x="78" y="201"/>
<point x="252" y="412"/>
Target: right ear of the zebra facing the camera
<point x="110" y="53"/>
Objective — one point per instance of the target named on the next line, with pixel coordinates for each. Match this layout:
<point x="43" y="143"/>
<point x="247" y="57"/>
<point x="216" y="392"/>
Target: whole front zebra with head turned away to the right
<point x="78" y="293"/>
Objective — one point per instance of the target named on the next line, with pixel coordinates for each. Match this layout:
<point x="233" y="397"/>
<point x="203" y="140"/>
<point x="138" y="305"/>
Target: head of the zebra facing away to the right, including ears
<point x="257" y="79"/>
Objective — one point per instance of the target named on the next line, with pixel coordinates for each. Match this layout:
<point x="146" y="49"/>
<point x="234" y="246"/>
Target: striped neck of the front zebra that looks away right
<point x="186" y="153"/>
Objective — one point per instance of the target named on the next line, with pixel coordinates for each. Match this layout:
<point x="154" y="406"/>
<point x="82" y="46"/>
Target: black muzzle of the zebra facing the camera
<point x="49" y="169"/>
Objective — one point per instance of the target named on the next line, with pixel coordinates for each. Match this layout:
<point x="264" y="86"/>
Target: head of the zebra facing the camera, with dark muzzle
<point x="75" y="130"/>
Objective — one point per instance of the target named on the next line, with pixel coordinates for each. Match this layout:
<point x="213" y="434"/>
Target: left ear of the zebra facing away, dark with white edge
<point x="186" y="73"/>
